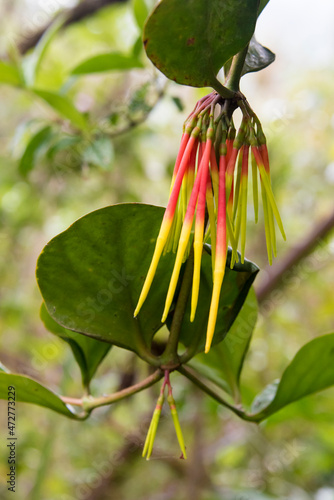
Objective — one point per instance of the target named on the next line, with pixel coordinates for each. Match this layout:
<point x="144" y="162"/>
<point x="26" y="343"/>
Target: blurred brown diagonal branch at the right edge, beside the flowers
<point x="276" y="273"/>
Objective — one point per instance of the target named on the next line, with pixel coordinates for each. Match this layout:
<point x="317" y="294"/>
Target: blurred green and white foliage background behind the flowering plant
<point x="128" y="157"/>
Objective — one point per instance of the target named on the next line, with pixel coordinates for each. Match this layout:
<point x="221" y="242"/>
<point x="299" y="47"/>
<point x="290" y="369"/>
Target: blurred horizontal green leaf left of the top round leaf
<point x="111" y="61"/>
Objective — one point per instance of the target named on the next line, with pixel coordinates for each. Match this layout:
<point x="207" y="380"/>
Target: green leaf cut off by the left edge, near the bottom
<point x="28" y="390"/>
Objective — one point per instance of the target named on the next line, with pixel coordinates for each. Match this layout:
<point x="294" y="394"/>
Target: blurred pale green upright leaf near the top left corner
<point x="31" y="63"/>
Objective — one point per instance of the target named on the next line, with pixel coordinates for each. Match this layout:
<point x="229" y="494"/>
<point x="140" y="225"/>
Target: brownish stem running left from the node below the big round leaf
<point x="89" y="403"/>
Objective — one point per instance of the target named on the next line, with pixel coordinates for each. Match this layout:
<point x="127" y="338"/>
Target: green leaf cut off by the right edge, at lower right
<point x="310" y="371"/>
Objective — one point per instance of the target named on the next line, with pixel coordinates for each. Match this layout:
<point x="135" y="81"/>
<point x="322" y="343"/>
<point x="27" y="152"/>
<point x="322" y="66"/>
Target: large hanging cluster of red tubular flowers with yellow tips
<point x="208" y="197"/>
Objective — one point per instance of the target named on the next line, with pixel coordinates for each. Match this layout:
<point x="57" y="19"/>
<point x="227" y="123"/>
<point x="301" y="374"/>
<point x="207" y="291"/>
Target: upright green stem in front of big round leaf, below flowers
<point x="170" y="357"/>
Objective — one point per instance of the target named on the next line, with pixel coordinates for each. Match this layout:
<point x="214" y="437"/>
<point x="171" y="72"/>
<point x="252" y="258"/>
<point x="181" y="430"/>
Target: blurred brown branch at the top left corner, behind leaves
<point x="83" y="9"/>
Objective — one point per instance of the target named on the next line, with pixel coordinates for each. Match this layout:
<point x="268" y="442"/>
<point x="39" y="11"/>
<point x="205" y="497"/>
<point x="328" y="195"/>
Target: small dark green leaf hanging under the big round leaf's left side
<point x="88" y="352"/>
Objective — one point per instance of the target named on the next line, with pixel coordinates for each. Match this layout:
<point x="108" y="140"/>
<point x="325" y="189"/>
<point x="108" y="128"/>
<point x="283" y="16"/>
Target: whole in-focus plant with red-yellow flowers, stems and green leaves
<point x="112" y="280"/>
